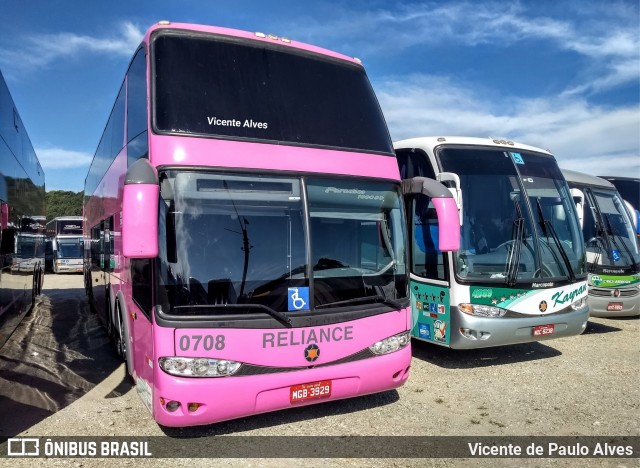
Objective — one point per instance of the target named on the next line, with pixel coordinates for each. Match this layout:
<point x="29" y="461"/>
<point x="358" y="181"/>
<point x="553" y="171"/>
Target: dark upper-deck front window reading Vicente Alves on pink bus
<point x="221" y="87"/>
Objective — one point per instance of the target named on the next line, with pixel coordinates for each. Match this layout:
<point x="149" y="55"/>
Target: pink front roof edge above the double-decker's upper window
<point x="255" y="36"/>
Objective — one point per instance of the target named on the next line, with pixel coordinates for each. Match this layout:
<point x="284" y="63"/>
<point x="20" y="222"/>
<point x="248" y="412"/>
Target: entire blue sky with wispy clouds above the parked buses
<point x="562" y="75"/>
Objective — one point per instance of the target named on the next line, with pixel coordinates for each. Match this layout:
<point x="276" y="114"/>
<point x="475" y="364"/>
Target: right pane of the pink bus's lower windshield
<point x="357" y="240"/>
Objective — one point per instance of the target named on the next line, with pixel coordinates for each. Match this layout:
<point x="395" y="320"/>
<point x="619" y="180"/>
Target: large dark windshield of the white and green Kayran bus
<point x="518" y="224"/>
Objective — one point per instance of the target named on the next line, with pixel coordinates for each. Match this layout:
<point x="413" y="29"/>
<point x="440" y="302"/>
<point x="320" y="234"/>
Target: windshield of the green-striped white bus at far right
<point x="608" y="231"/>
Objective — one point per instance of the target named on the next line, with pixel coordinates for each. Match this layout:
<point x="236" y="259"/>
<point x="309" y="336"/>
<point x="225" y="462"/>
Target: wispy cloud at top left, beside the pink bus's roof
<point x="40" y="50"/>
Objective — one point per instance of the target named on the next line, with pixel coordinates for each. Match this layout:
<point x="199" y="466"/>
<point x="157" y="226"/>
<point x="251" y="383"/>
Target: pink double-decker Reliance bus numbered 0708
<point x="244" y="227"/>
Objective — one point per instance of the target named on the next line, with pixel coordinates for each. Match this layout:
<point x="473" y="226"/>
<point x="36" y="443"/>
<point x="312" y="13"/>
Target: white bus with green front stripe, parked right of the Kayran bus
<point x="613" y="259"/>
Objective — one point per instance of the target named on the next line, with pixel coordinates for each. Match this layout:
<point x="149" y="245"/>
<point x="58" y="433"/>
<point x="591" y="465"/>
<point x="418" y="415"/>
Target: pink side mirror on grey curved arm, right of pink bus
<point x="446" y="209"/>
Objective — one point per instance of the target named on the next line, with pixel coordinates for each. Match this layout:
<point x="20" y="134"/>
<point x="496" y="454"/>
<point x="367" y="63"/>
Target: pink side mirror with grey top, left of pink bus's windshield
<point x="140" y="211"/>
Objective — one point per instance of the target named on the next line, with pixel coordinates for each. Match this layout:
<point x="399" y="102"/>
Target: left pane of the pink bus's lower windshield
<point x="232" y="240"/>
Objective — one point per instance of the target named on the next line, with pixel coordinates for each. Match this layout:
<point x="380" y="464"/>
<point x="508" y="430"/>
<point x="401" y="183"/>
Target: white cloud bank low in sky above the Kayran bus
<point x="583" y="137"/>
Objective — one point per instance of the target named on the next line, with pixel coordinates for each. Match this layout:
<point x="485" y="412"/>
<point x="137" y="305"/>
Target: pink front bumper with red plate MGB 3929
<point x="225" y="398"/>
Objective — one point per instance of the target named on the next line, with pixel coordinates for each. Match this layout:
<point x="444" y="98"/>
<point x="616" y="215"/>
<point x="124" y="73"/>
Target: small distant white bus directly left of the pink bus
<point x="65" y="235"/>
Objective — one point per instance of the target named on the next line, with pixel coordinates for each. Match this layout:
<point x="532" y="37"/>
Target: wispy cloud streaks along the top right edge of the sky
<point x="605" y="34"/>
